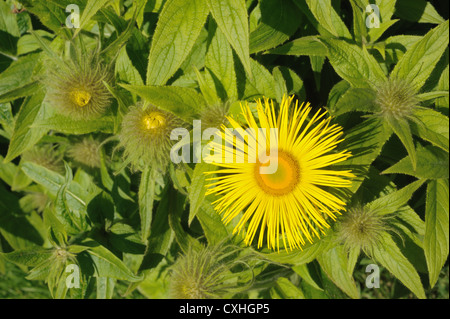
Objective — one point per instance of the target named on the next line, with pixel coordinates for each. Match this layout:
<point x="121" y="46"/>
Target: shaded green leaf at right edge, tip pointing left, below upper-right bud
<point x="432" y="163"/>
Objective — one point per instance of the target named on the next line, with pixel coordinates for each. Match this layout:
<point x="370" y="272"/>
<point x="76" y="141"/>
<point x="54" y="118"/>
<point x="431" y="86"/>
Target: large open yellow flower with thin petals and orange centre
<point x="294" y="203"/>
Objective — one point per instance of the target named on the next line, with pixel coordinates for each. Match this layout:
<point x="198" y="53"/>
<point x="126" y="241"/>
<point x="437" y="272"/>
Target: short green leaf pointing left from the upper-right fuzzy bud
<point x="355" y="100"/>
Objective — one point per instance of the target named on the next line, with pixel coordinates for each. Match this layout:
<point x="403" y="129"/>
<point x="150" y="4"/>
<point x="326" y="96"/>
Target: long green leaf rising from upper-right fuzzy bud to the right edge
<point x="419" y="61"/>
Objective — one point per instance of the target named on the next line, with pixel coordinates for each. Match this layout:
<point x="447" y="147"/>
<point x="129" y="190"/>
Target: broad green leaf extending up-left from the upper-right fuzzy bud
<point x="354" y="64"/>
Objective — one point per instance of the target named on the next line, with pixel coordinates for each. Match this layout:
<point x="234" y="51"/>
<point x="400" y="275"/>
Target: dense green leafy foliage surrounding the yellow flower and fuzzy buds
<point x="186" y="57"/>
